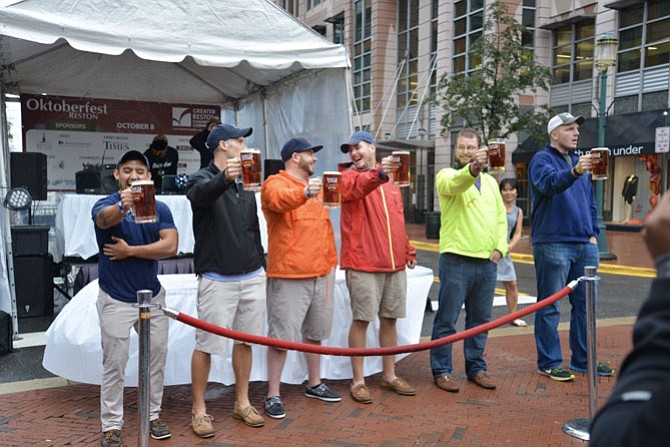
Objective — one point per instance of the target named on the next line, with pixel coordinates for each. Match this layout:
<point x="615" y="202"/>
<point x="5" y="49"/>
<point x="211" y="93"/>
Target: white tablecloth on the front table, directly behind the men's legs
<point x="73" y="340"/>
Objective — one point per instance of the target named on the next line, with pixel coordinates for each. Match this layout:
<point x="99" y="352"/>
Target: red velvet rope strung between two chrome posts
<point x="366" y="352"/>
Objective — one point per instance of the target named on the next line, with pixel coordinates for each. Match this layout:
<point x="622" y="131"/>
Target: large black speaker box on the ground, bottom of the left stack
<point x="33" y="278"/>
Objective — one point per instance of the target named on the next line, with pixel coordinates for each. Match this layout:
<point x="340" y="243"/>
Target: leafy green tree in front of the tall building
<point x="487" y="97"/>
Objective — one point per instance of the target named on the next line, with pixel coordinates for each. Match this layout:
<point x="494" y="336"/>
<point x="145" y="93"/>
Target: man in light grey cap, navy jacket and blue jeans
<point x="564" y="231"/>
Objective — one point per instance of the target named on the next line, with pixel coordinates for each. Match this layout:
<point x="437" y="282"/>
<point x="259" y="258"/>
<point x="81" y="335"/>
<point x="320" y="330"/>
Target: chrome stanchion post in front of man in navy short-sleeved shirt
<point x="143" y="385"/>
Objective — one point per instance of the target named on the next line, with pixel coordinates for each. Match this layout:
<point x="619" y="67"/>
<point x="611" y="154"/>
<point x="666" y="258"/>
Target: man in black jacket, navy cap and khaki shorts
<point x="230" y="264"/>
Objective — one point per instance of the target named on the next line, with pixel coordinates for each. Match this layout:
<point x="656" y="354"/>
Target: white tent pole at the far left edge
<point x="6" y="227"/>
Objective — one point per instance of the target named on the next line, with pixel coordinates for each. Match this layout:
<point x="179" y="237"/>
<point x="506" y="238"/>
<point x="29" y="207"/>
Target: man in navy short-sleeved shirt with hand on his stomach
<point x="128" y="262"/>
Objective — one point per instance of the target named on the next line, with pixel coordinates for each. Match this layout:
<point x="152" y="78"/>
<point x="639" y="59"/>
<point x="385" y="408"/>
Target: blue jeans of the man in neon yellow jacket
<point x="463" y="280"/>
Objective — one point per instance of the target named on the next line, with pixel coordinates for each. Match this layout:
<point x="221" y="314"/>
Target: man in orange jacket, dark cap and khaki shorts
<point x="301" y="268"/>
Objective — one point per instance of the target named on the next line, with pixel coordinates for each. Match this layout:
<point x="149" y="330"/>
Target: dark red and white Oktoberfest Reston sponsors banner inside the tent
<point x="87" y="133"/>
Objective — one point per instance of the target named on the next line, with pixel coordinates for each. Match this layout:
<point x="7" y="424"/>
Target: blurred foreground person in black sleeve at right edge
<point x="635" y="414"/>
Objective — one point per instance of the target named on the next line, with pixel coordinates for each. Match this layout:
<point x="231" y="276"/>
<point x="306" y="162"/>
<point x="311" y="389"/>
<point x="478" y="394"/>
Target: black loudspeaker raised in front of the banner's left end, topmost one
<point x="29" y="170"/>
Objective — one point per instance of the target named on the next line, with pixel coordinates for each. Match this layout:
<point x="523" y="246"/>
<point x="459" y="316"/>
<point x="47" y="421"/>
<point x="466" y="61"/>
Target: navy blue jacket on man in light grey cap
<point x="563" y="207"/>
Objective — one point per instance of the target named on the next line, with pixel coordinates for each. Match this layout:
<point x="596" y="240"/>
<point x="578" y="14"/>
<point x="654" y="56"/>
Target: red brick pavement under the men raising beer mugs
<point x="525" y="410"/>
